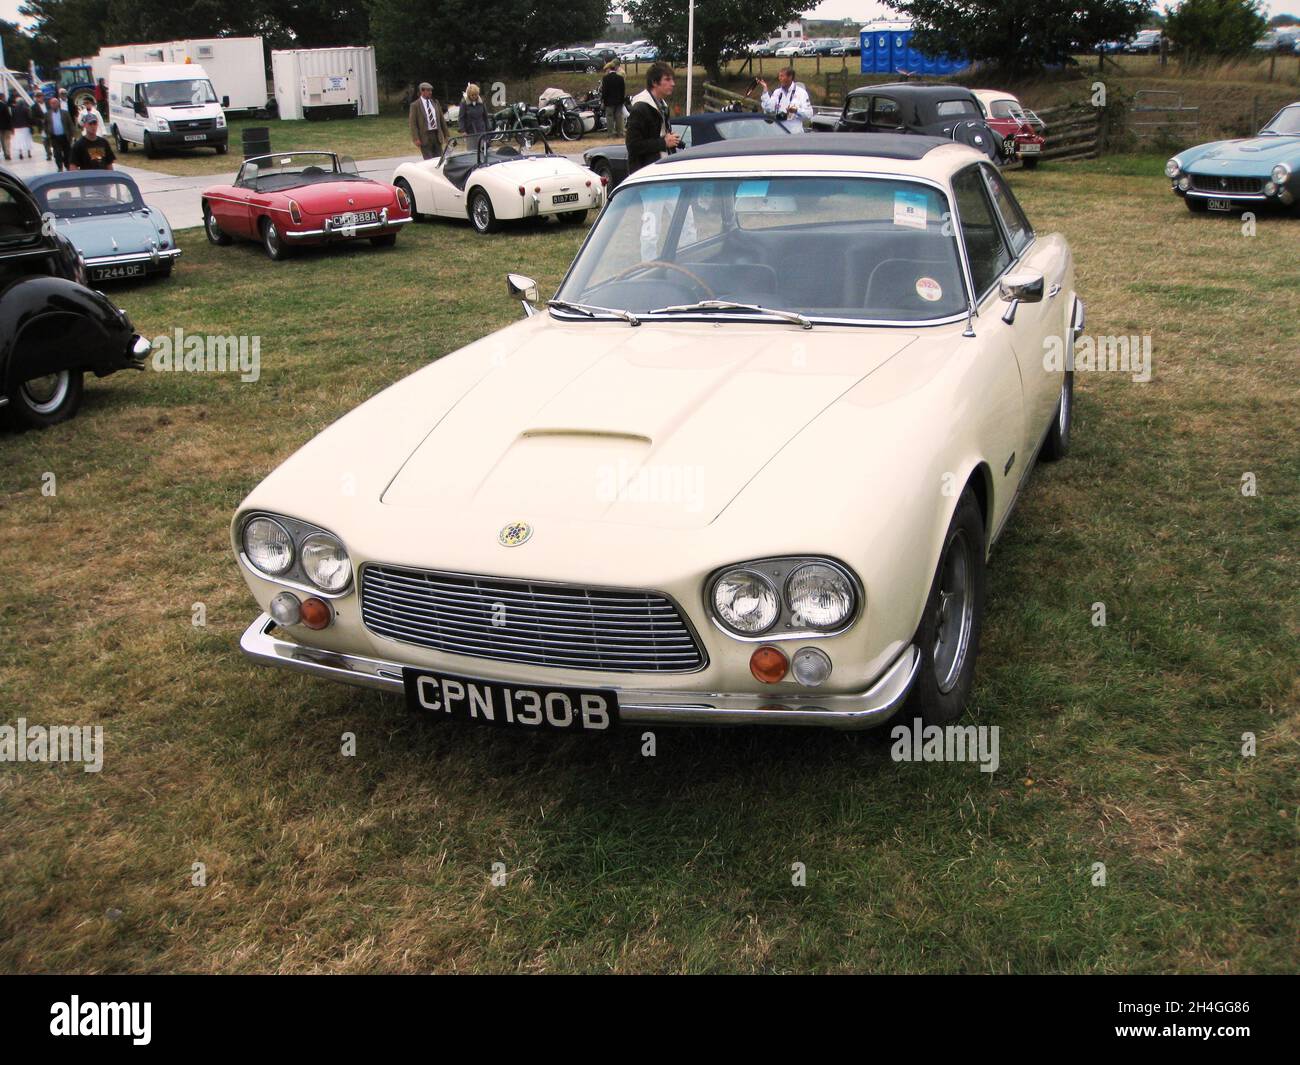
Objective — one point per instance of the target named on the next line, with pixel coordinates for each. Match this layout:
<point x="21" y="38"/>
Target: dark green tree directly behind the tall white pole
<point x="723" y="28"/>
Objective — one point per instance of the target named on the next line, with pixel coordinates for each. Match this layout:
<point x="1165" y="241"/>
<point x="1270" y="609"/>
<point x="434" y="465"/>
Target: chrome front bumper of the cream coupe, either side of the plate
<point x="642" y="707"/>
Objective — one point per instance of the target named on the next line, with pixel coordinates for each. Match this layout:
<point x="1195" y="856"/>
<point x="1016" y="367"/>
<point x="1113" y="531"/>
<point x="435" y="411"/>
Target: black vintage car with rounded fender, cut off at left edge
<point x="53" y="328"/>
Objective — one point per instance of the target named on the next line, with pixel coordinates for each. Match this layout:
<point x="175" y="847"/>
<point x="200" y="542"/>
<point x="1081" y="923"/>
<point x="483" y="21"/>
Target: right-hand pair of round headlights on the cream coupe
<point x="779" y="598"/>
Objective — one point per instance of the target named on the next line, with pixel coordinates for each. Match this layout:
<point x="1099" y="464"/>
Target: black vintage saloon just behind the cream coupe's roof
<point x="907" y="107"/>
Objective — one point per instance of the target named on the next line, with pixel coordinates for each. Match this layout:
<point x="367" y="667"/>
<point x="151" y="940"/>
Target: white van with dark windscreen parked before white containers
<point x="158" y="106"/>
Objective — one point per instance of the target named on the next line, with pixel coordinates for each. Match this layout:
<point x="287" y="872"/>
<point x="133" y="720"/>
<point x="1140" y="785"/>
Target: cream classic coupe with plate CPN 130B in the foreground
<point x="744" y="469"/>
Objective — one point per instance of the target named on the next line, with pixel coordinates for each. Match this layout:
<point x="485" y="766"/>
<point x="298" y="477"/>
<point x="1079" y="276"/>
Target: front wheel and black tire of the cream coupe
<point x="948" y="665"/>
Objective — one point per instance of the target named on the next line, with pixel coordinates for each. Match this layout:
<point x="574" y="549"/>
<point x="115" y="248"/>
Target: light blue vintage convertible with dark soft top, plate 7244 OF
<point x="103" y="215"/>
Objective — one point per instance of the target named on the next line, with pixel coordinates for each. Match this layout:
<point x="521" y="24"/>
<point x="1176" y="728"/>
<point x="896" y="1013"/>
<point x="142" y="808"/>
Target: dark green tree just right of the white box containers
<point x="450" y="42"/>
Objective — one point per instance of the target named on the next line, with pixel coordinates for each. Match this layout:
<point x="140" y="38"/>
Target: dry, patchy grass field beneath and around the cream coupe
<point x="1120" y="744"/>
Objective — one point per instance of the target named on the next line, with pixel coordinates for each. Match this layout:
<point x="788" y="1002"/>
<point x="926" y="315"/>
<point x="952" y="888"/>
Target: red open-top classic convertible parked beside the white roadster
<point x="304" y="198"/>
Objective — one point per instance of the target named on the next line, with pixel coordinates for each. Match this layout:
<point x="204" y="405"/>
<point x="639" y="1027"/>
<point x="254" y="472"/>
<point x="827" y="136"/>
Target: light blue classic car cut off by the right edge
<point x="1262" y="171"/>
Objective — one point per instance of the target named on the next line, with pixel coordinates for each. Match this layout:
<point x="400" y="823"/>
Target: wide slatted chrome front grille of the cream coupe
<point x="530" y="622"/>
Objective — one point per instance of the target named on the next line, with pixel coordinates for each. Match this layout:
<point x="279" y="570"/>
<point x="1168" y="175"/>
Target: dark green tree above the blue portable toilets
<point x="1021" y="37"/>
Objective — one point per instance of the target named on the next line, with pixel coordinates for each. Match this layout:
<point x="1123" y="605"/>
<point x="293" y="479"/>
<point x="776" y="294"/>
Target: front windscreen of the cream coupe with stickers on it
<point x="821" y="246"/>
